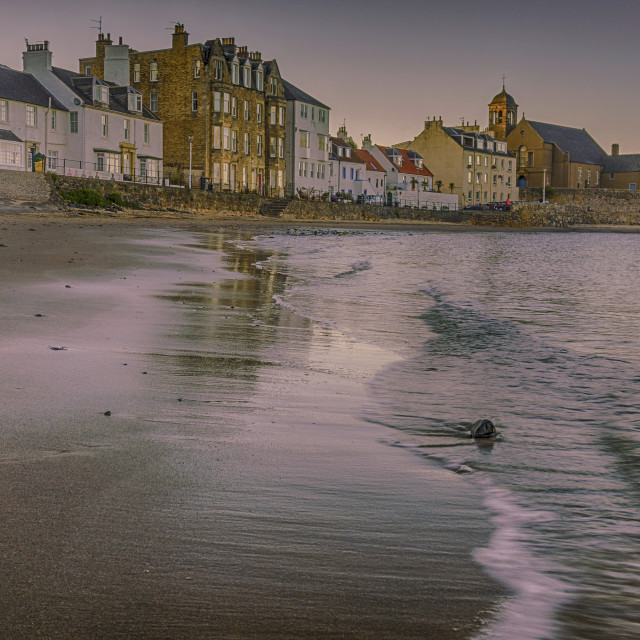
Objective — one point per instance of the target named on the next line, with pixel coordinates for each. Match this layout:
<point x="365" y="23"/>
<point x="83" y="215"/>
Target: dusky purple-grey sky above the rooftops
<point x="385" y="67"/>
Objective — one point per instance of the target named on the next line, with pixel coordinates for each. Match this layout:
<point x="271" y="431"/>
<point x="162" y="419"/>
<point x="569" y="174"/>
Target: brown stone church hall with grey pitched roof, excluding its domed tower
<point x="564" y="156"/>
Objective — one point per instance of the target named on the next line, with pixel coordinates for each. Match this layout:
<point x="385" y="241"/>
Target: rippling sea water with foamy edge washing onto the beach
<point x="539" y="332"/>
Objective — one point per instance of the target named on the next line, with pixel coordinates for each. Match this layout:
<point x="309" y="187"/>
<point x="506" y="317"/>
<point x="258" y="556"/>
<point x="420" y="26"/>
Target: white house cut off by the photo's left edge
<point x="31" y="121"/>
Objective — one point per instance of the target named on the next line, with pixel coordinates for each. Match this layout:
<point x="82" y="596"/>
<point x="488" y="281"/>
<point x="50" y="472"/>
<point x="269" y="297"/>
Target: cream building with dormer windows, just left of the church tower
<point x="473" y="165"/>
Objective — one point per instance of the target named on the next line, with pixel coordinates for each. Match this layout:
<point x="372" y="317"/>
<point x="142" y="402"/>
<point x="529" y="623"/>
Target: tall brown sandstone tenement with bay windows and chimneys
<point x="223" y="108"/>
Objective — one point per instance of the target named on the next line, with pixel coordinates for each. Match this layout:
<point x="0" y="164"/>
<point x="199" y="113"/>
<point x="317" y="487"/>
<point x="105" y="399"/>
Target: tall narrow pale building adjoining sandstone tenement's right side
<point x="307" y="144"/>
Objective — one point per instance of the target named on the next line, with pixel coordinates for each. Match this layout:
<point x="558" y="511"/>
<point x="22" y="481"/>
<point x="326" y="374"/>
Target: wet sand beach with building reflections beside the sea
<point x="229" y="493"/>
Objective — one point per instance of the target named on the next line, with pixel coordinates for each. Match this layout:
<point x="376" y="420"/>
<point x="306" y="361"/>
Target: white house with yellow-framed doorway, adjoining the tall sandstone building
<point x="106" y="130"/>
